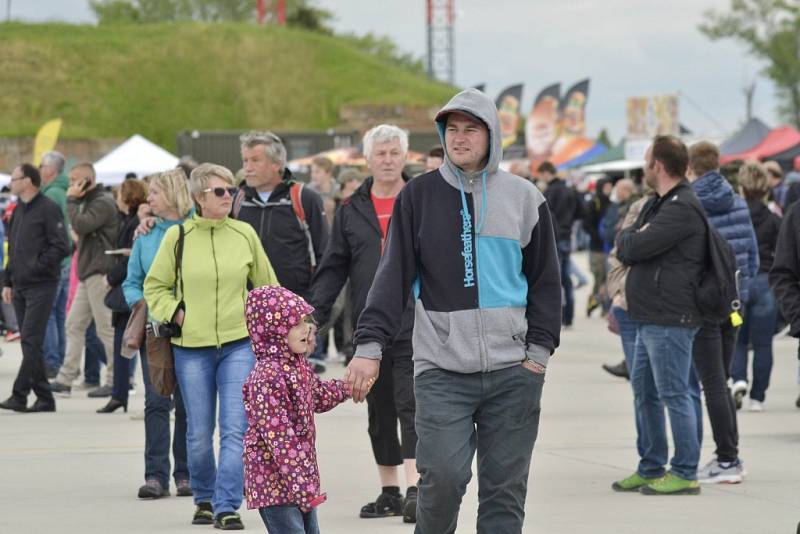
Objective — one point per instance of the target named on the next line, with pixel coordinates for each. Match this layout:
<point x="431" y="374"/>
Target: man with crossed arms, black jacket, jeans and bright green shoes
<point x="666" y="249"/>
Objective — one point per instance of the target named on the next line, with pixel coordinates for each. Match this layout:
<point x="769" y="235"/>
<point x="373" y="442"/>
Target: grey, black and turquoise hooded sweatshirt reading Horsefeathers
<point x="480" y="254"/>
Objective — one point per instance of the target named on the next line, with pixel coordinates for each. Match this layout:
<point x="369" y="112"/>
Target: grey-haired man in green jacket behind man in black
<point x="54" y="186"/>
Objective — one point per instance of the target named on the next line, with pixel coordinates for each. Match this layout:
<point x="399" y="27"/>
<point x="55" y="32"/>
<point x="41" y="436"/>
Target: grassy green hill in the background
<point x="113" y="81"/>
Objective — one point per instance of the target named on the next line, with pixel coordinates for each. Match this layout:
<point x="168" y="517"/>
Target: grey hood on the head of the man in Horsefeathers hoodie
<point x="480" y="106"/>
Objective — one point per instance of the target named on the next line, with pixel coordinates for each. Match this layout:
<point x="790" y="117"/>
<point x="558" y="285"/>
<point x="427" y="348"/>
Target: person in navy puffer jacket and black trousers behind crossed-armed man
<point x="715" y="341"/>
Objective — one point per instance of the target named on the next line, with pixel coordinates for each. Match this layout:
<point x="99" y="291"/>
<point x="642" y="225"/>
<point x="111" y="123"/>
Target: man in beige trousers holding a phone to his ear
<point x="94" y="219"/>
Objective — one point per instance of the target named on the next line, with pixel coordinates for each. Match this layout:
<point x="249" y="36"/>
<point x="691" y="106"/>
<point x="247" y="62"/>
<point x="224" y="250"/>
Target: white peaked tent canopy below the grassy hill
<point x="137" y="155"/>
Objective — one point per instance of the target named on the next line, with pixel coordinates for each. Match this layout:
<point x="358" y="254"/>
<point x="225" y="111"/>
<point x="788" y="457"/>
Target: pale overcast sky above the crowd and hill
<point x="626" y="47"/>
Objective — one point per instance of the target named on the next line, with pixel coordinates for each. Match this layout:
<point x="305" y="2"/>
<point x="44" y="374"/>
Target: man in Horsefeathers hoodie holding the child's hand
<point x="478" y="246"/>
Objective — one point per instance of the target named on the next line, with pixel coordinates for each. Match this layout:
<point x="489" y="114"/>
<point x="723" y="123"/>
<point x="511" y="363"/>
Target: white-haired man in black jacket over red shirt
<point x="356" y="245"/>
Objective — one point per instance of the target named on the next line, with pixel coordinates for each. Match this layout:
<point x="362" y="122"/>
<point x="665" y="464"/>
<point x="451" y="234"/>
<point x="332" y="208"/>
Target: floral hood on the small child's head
<point x="270" y="313"/>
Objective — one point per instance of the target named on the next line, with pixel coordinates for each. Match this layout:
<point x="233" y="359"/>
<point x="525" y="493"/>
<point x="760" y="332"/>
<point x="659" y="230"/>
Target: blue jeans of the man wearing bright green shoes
<point x="660" y="377"/>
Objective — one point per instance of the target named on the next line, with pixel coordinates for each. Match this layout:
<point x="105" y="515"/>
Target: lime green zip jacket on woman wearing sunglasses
<point x="219" y="258"/>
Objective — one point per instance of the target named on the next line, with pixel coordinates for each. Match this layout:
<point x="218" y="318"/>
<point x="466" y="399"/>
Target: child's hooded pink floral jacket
<point x="280" y="398"/>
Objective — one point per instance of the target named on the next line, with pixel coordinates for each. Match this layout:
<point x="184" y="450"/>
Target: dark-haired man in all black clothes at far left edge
<point x="37" y="243"/>
